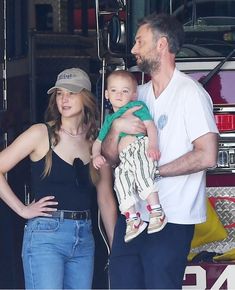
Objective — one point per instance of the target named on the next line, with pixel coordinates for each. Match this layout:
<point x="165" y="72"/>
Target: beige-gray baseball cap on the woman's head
<point x="72" y="79"/>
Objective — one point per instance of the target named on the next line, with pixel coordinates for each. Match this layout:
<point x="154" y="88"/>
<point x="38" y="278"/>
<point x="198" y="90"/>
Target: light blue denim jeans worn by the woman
<point x="58" y="254"/>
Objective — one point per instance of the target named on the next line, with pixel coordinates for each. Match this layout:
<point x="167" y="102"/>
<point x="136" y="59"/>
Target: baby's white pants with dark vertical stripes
<point x="135" y="174"/>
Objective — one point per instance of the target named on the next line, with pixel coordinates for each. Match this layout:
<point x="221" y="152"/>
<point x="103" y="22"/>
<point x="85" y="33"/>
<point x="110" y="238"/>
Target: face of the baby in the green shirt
<point x="120" y="91"/>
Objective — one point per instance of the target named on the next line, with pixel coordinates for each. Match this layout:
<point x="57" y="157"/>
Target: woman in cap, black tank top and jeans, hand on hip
<point x="58" y="245"/>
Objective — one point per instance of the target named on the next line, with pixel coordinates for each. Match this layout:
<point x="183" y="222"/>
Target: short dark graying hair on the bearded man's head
<point x="168" y="26"/>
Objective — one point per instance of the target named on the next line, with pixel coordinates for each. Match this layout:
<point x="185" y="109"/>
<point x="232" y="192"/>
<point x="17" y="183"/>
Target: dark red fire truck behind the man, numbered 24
<point x="208" y="55"/>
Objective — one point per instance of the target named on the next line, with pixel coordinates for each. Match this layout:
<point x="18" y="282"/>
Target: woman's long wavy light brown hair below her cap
<point x="89" y="120"/>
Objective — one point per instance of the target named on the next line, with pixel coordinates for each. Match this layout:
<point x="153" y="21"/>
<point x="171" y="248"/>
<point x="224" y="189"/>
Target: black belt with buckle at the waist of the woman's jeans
<point x="72" y="215"/>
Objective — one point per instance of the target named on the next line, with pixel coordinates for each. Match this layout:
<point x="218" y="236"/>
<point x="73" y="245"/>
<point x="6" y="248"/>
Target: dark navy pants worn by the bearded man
<point x="150" y="261"/>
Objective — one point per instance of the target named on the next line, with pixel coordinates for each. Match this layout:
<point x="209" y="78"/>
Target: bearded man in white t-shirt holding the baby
<point x="183" y="113"/>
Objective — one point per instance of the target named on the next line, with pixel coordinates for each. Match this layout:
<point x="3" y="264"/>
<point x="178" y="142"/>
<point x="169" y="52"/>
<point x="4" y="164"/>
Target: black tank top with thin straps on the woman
<point x="70" y="184"/>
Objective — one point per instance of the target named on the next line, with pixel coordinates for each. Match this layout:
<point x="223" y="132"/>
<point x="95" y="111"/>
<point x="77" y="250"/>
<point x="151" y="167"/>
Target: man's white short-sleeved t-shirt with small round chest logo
<point x="182" y="113"/>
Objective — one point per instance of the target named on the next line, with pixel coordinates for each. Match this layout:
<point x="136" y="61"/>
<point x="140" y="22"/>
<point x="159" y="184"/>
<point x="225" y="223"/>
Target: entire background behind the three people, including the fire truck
<point x="40" y="38"/>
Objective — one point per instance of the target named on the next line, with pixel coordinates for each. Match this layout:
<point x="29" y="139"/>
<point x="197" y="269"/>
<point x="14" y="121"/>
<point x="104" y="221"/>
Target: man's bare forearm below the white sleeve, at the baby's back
<point x="203" y="156"/>
